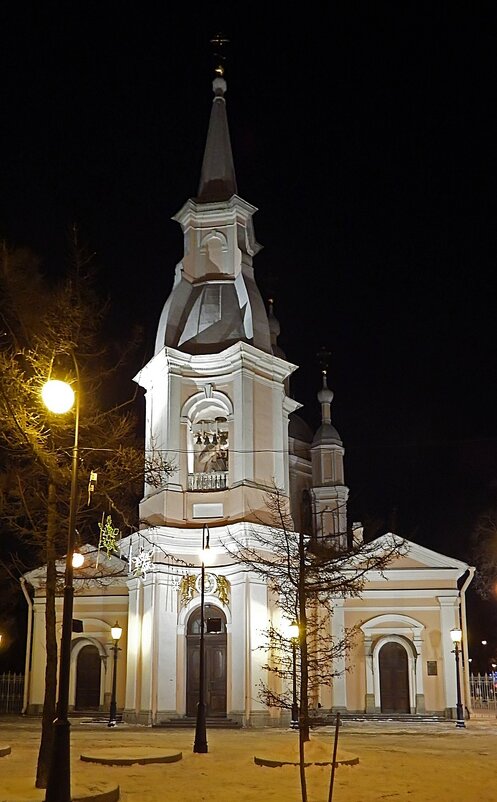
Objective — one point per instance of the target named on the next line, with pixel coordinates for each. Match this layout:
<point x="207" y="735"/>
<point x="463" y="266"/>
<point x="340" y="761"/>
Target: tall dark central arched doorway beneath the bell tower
<point x="215" y="661"/>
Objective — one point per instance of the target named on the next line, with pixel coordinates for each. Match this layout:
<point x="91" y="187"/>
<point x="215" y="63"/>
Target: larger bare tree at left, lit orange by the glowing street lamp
<point x="53" y="331"/>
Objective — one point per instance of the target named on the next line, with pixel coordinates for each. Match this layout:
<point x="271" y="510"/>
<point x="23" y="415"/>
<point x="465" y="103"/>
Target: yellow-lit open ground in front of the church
<point x="417" y="763"/>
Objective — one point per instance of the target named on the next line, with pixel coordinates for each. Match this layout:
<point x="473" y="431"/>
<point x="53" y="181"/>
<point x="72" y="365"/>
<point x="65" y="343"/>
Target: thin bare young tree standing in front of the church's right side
<point x="305" y="577"/>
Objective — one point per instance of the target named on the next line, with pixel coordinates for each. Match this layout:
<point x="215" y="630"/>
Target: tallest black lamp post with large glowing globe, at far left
<point x="59" y="397"/>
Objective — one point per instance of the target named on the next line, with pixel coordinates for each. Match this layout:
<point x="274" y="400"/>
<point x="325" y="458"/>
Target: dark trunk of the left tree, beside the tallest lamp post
<point x="45" y="751"/>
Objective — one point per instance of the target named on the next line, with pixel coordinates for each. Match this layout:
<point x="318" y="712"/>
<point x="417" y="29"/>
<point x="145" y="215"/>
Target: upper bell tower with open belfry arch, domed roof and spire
<point x="216" y="399"/>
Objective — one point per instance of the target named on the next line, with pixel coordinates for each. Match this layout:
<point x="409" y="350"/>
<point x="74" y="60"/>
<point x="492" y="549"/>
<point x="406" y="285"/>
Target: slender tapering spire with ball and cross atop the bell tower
<point x="217" y="178"/>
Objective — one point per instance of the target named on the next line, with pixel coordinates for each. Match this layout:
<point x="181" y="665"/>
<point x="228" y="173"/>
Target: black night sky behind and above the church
<point x="367" y="140"/>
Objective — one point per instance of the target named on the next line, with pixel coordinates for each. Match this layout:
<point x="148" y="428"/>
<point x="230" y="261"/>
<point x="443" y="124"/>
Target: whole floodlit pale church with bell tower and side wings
<point x="218" y="405"/>
